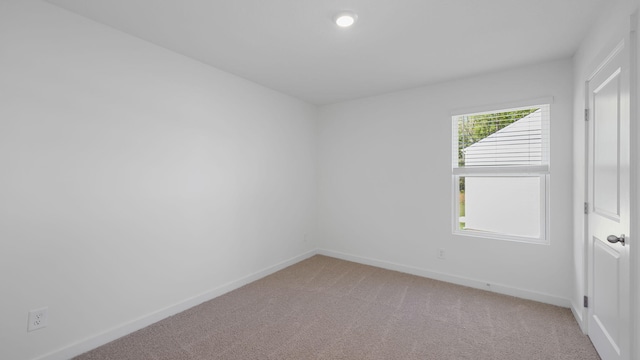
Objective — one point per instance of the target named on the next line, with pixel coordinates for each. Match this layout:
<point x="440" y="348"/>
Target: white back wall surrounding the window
<point x="385" y="186"/>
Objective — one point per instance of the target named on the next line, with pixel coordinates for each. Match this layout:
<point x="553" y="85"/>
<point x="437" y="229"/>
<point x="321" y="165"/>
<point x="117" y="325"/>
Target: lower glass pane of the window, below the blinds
<point x="502" y="205"/>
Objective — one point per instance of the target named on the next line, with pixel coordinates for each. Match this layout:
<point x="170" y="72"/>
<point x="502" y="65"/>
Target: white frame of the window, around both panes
<point x="543" y="172"/>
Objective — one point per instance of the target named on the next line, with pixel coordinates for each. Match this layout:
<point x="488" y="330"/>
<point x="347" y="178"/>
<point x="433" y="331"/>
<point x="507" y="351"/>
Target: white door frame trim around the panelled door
<point x="634" y="133"/>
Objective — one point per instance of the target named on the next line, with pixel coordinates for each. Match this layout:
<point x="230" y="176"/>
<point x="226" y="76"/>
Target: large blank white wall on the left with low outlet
<point x="134" y="179"/>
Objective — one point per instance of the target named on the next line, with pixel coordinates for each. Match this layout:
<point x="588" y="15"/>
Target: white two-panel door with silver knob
<point x="609" y="320"/>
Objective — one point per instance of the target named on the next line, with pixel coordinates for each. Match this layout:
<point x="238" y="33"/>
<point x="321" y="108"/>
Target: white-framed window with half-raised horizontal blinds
<point x="500" y="173"/>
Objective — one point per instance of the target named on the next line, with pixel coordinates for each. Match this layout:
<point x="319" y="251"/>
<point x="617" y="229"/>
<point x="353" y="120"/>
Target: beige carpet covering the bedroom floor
<point x="324" y="308"/>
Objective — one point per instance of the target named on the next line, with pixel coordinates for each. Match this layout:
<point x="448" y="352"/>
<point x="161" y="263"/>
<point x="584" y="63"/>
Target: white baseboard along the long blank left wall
<point x="119" y="331"/>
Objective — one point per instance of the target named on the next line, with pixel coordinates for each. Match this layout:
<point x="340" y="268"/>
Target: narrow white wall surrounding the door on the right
<point x="609" y="29"/>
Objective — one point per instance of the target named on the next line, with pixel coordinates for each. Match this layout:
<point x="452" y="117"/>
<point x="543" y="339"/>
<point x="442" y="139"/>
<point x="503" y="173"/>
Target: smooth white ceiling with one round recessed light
<point x="292" y="45"/>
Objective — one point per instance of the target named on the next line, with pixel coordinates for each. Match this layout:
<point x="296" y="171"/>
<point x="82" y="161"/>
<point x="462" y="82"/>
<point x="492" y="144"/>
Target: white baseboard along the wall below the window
<point x="459" y="280"/>
